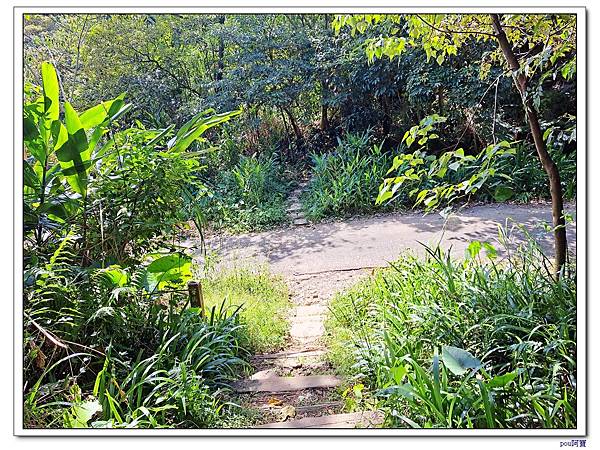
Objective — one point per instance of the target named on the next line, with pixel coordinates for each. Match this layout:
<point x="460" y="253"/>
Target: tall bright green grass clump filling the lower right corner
<point x="462" y="344"/>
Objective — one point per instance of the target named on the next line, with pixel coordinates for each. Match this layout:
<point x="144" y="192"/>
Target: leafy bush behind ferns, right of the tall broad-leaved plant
<point x="139" y="197"/>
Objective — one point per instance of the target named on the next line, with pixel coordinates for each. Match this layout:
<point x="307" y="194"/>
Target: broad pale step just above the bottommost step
<point x="287" y="384"/>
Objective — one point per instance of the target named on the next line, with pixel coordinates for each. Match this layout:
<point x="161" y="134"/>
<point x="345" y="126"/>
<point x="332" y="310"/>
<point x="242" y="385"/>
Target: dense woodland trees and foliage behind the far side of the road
<point x="306" y="81"/>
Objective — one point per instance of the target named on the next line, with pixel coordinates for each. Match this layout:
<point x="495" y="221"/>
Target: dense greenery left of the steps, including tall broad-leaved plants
<point x="108" y="339"/>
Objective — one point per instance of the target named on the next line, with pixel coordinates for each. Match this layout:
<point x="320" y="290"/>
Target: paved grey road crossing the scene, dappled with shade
<point x="373" y="241"/>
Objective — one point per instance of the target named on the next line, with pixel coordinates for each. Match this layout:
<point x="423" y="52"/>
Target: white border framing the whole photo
<point x="581" y="217"/>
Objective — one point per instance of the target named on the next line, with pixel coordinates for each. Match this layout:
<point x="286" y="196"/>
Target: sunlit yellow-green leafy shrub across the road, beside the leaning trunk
<point x="501" y="171"/>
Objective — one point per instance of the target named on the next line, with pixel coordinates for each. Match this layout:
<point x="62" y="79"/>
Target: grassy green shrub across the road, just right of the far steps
<point x="347" y="180"/>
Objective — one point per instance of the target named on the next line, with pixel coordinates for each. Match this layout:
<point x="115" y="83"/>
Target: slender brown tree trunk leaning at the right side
<point x="558" y="219"/>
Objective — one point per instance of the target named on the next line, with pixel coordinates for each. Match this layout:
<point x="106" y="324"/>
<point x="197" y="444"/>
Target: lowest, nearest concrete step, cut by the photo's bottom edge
<point x="369" y="419"/>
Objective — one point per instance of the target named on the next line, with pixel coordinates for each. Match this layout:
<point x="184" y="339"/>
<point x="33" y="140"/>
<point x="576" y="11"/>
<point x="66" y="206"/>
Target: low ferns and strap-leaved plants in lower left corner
<point x="110" y="337"/>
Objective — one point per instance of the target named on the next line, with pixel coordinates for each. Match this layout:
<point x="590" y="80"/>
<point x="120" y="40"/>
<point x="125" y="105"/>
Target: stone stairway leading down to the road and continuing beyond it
<point x="297" y="387"/>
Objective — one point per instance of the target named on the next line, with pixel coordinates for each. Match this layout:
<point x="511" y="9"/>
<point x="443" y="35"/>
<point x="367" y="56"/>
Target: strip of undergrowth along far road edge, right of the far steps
<point x="359" y="177"/>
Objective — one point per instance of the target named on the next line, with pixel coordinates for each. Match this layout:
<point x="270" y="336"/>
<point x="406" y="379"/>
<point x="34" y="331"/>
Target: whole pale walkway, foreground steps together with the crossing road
<point x="296" y="388"/>
